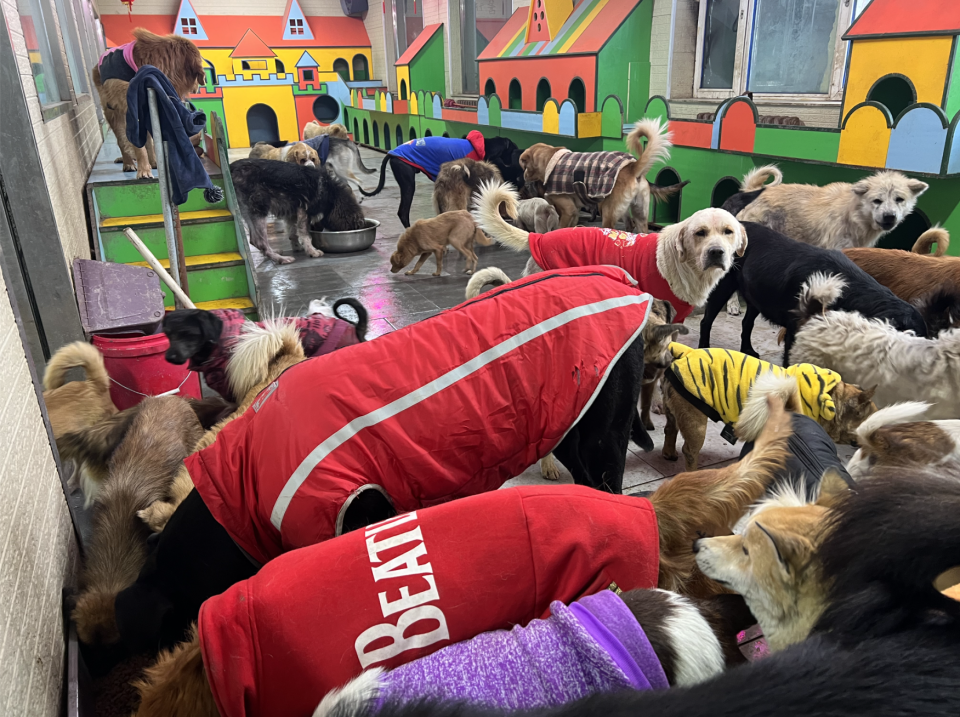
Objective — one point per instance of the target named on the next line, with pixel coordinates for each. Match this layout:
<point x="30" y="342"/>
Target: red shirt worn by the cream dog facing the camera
<point x="586" y="246"/>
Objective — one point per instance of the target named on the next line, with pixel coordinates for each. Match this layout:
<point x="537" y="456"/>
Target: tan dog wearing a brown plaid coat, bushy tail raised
<point x="616" y="180"/>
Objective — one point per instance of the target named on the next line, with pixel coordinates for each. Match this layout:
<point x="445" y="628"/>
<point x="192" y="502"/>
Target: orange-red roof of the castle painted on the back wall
<point x="228" y="30"/>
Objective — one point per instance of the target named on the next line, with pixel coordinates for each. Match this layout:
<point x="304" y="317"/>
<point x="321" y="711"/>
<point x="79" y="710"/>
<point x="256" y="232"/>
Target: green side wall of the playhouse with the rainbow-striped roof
<point x="624" y="62"/>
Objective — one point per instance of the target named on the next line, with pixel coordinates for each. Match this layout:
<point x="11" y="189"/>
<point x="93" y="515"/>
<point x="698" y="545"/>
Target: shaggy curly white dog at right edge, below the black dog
<point x="870" y="351"/>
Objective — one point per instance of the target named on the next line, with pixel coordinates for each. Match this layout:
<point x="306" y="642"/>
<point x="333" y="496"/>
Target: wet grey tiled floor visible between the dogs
<point x="396" y="300"/>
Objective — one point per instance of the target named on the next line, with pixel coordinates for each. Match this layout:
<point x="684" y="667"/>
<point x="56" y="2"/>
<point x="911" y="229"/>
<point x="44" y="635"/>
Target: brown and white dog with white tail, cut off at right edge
<point x="899" y="436"/>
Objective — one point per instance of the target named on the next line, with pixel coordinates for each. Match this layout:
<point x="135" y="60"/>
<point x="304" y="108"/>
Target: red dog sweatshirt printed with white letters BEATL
<point x="275" y="644"/>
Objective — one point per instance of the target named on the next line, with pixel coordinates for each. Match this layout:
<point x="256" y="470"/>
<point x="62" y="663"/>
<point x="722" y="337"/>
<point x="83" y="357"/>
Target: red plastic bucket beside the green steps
<point x="138" y="369"/>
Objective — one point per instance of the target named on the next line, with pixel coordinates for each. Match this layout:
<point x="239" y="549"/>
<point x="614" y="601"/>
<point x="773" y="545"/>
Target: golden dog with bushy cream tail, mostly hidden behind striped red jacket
<point x="261" y="355"/>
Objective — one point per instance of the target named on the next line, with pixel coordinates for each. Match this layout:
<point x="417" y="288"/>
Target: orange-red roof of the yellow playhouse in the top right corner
<point x="897" y="18"/>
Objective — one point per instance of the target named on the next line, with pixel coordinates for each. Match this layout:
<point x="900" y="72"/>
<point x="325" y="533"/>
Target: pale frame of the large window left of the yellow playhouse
<point x="741" y="63"/>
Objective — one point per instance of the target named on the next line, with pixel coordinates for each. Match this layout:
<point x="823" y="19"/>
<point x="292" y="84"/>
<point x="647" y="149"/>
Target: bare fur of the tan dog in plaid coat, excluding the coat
<point x="630" y="189"/>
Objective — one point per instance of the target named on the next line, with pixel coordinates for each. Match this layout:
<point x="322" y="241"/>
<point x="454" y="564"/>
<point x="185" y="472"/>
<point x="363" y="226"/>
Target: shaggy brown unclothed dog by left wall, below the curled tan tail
<point x="163" y="433"/>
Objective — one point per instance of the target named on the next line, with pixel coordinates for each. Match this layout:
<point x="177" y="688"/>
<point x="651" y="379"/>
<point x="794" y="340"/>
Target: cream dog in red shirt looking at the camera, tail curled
<point x="681" y="265"/>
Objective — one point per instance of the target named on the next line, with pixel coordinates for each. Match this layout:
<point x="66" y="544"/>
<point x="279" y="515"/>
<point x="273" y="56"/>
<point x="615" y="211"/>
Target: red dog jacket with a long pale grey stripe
<point x="451" y="406"/>
